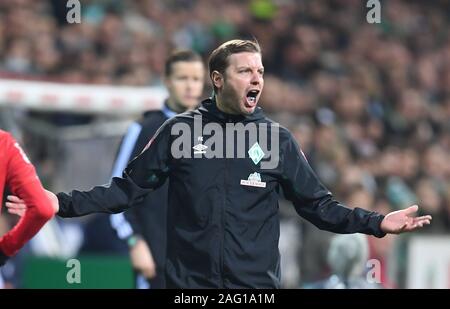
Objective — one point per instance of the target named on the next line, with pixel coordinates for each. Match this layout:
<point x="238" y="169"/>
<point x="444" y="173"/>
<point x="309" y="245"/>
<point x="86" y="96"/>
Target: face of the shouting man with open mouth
<point x="242" y="83"/>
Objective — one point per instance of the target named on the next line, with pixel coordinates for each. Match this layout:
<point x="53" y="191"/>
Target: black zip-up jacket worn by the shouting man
<point x="220" y="233"/>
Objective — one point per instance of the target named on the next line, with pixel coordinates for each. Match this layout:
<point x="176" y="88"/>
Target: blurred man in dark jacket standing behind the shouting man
<point x="144" y="227"/>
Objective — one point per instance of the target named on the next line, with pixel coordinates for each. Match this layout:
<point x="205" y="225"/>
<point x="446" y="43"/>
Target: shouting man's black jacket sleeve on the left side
<point x="143" y="174"/>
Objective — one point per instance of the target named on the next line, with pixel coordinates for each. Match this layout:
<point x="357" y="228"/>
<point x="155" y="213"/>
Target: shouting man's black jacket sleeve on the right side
<point x="314" y="202"/>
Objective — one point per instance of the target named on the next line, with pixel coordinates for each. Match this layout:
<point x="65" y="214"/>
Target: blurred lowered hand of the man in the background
<point x="142" y="259"/>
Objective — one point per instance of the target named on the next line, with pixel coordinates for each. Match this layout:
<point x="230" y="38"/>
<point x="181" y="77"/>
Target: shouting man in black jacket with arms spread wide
<point x="226" y="163"/>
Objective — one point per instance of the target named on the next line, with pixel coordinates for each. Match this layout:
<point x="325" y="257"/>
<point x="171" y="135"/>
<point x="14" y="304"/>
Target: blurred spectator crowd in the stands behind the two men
<point x="369" y="103"/>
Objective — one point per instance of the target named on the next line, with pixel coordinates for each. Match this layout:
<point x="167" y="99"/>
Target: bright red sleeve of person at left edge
<point x="23" y="182"/>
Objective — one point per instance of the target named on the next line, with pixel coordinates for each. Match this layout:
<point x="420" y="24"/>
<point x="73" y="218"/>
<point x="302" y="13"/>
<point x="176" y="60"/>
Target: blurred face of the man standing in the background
<point x="185" y="84"/>
